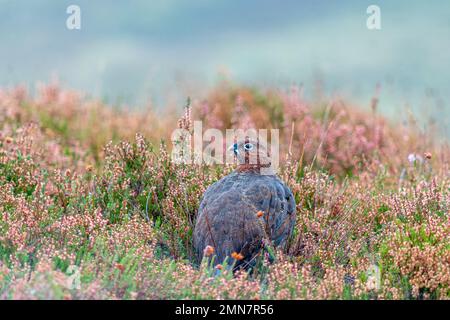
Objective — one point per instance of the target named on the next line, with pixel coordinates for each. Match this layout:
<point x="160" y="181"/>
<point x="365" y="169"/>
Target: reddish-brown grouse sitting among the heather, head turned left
<point x="244" y="210"/>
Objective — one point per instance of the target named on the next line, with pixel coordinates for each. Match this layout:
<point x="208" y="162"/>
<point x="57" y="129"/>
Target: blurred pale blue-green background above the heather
<point x="137" y="53"/>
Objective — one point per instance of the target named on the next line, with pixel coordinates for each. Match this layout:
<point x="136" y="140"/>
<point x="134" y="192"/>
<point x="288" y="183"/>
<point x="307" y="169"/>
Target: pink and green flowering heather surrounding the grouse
<point x="93" y="207"/>
